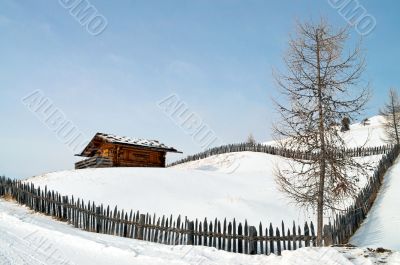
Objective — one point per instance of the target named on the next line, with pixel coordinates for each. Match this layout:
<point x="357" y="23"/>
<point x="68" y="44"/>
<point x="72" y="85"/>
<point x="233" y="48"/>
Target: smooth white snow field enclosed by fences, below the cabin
<point x="236" y="185"/>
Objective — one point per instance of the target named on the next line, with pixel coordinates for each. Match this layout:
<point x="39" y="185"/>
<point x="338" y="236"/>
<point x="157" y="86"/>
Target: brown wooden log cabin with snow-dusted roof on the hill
<point x="107" y="150"/>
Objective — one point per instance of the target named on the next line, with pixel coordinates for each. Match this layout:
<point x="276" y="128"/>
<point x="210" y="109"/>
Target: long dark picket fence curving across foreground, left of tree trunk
<point x="229" y="236"/>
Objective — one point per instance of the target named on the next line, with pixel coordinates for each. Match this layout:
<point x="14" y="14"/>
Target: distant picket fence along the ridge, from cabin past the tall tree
<point x="273" y="150"/>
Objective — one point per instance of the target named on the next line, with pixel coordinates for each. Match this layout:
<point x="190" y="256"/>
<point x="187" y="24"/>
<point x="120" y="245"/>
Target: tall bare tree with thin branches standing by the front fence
<point x="320" y="90"/>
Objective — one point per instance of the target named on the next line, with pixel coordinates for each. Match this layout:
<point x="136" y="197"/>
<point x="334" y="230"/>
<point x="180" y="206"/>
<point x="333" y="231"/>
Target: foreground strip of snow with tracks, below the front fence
<point x="30" y="238"/>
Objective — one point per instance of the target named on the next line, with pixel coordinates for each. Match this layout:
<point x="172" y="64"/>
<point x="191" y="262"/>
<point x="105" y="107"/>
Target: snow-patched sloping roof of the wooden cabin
<point x="112" y="138"/>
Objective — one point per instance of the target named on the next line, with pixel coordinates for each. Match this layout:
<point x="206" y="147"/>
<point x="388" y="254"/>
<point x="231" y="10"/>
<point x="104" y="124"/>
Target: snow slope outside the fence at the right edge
<point x="381" y="228"/>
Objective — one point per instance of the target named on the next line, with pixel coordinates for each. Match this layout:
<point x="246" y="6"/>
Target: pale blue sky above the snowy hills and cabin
<point x="216" y="55"/>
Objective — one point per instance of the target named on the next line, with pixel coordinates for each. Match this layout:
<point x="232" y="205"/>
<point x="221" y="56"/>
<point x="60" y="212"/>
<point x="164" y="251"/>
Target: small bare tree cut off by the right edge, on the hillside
<point x="391" y="113"/>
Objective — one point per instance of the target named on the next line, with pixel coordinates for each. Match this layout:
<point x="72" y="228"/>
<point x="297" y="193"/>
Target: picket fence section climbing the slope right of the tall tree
<point x="346" y="223"/>
